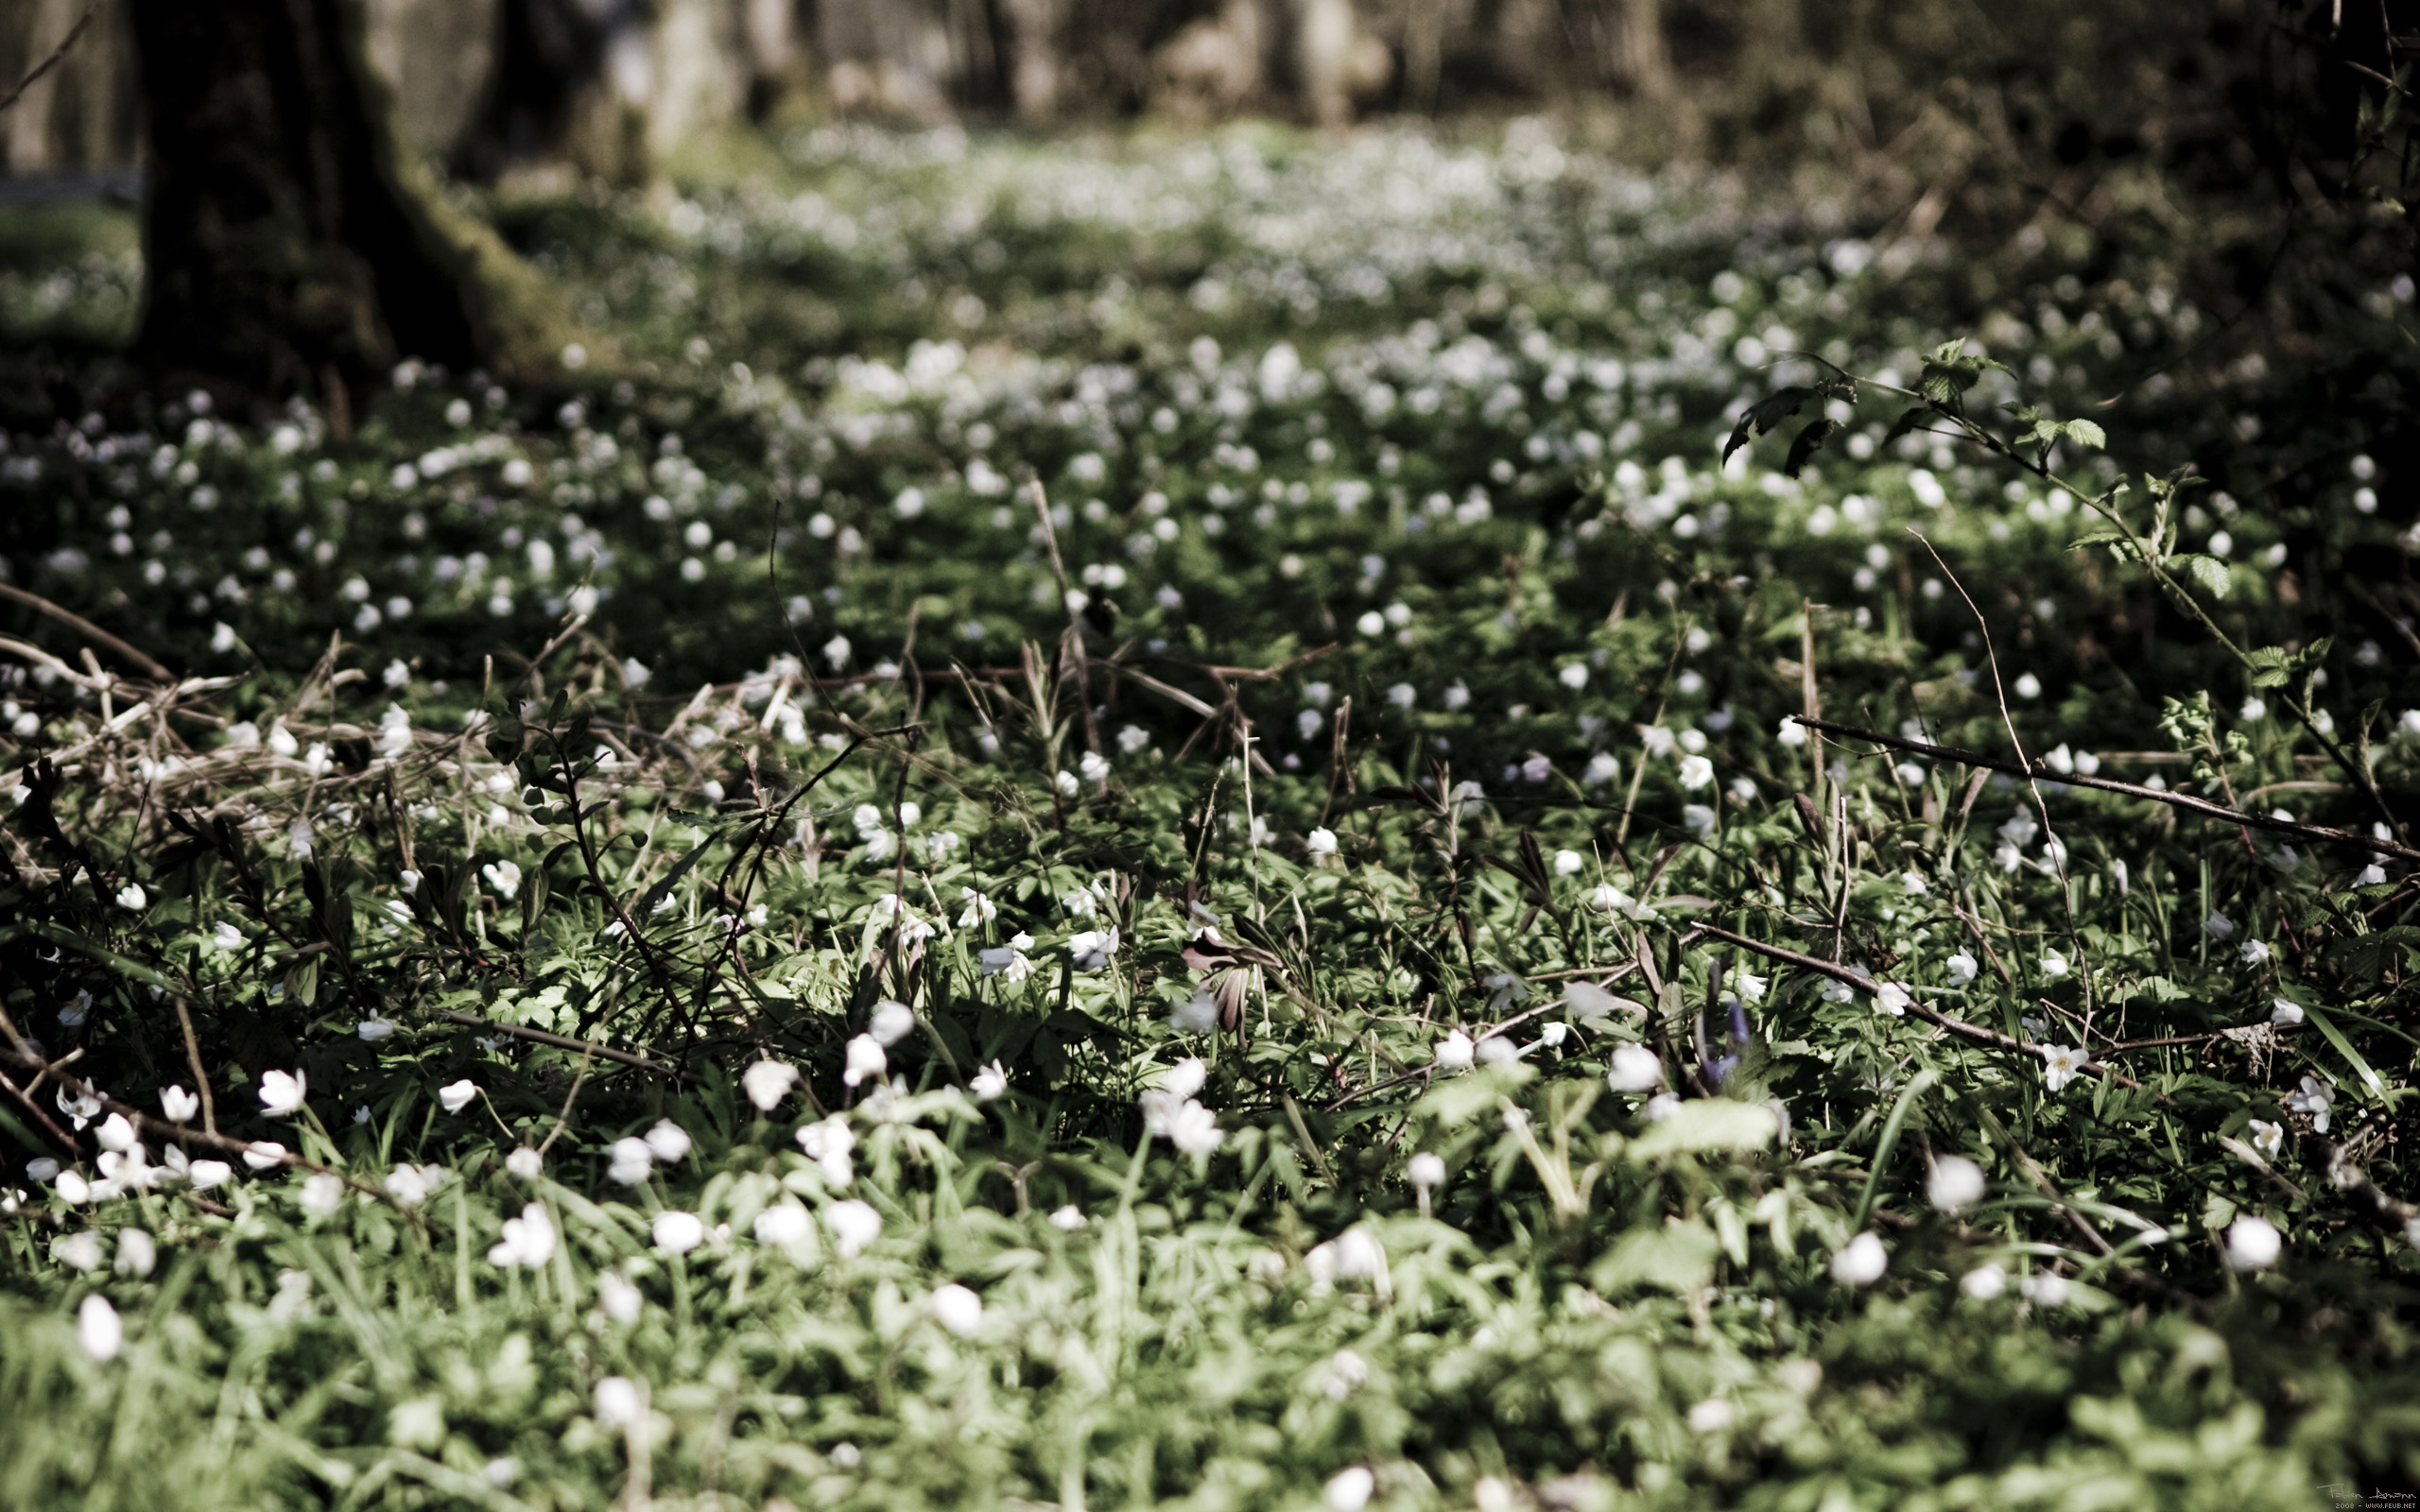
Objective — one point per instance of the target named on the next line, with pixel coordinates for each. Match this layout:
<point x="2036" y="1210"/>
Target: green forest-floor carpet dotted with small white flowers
<point x="1400" y="427"/>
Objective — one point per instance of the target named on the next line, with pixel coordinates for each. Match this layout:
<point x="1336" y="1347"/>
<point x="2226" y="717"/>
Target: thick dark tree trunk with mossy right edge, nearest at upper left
<point x="289" y="233"/>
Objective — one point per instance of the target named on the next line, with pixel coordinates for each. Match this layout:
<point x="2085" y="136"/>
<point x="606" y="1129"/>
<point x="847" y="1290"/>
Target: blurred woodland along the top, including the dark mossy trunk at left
<point x="2252" y="146"/>
